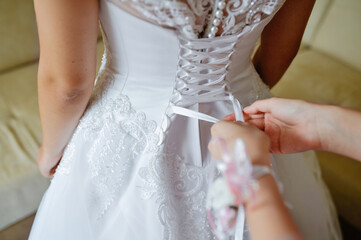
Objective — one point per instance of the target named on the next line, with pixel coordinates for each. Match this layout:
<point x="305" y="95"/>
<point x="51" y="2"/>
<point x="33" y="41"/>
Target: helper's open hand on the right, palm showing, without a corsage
<point x="291" y="125"/>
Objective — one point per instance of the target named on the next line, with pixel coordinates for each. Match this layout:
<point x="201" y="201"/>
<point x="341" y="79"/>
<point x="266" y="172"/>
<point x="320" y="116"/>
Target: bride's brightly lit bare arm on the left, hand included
<point x="67" y="65"/>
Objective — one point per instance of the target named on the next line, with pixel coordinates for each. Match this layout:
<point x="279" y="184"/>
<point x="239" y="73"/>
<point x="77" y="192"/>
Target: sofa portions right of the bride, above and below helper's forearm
<point x="327" y="70"/>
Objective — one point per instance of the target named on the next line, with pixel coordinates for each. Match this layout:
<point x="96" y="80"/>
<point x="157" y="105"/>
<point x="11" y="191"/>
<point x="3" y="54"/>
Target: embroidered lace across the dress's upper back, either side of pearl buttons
<point x="192" y="17"/>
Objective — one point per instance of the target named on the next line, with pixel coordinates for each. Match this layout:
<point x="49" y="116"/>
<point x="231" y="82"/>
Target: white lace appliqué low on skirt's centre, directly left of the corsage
<point x="178" y="188"/>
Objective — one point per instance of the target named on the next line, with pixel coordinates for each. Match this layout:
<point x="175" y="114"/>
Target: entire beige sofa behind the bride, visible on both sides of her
<point x="327" y="70"/>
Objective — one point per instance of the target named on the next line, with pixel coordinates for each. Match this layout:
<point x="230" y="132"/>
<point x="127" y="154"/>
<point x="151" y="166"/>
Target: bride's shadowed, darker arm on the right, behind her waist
<point x="281" y="39"/>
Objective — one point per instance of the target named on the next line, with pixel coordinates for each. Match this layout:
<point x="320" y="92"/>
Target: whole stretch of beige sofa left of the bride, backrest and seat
<point x="21" y="185"/>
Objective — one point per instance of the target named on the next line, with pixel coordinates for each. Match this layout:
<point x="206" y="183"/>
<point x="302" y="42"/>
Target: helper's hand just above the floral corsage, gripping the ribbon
<point x="257" y="143"/>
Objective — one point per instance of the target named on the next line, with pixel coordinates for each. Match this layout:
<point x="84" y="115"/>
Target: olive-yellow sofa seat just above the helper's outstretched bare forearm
<point x="319" y="78"/>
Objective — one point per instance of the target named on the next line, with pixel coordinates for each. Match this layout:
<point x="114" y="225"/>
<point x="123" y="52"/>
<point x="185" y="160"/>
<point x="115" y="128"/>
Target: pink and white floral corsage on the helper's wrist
<point x="233" y="183"/>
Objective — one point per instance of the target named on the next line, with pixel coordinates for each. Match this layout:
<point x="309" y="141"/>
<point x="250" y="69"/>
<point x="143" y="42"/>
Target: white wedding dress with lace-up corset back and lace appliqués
<point x="137" y="164"/>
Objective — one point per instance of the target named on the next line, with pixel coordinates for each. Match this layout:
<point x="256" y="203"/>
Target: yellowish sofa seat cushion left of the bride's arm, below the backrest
<point x="21" y="185"/>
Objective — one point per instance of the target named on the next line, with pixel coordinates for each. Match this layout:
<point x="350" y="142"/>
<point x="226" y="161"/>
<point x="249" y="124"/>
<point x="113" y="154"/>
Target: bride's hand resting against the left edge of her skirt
<point x="46" y="160"/>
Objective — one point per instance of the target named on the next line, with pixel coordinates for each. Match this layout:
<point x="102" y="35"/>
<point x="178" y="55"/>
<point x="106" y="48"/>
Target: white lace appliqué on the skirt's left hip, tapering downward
<point x="121" y="134"/>
